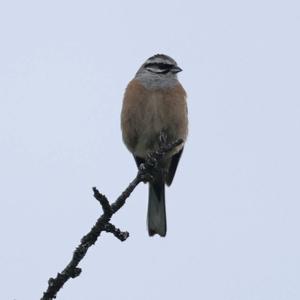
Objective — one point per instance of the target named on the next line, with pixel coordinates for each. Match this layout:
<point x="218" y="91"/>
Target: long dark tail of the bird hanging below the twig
<point x="156" y="219"/>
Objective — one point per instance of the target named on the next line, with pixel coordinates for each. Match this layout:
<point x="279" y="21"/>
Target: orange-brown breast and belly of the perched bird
<point x="146" y="113"/>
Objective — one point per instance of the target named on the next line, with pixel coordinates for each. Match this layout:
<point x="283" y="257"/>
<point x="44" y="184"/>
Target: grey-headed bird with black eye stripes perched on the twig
<point x="155" y="102"/>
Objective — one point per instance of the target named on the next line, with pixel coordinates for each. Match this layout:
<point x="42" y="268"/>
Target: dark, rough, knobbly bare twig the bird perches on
<point x="103" y="222"/>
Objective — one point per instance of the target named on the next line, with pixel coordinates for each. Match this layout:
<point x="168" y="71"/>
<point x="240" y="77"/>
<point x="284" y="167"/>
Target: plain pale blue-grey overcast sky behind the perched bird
<point x="233" y="209"/>
